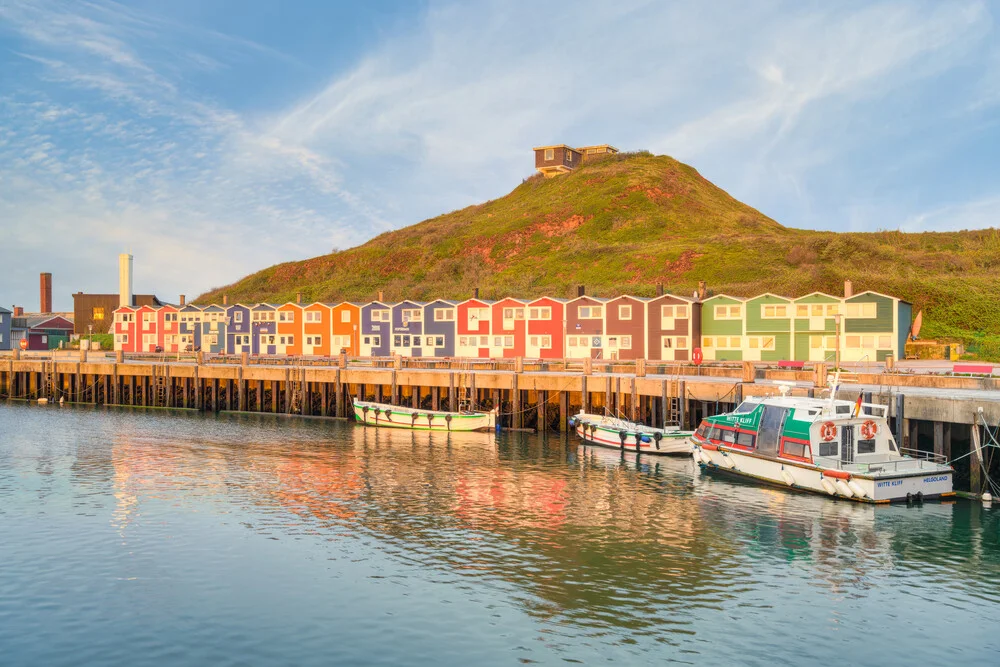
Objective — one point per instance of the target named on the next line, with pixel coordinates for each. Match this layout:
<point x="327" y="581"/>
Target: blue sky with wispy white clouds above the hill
<point x="213" y="139"/>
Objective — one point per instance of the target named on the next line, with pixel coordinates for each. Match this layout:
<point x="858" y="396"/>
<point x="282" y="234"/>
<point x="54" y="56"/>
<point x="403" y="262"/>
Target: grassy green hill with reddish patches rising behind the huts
<point x="626" y="222"/>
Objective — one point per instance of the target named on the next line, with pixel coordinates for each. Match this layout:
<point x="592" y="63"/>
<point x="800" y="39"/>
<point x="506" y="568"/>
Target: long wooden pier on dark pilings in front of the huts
<point x="930" y="412"/>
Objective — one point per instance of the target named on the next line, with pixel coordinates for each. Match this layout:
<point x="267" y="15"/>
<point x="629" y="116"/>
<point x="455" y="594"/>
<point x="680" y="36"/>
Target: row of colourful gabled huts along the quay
<point x="767" y="327"/>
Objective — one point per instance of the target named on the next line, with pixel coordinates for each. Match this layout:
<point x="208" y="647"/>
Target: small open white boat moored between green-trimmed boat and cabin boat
<point x="606" y="431"/>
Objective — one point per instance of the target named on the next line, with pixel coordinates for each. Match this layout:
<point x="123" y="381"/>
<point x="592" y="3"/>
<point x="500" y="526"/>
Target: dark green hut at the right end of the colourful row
<point x="875" y="326"/>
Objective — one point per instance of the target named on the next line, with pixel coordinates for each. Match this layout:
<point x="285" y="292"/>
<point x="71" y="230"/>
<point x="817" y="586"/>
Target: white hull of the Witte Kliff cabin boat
<point x="925" y="485"/>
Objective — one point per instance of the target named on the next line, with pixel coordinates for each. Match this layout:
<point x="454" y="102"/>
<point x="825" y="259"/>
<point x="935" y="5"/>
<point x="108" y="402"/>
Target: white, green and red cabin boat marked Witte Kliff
<point x="833" y="447"/>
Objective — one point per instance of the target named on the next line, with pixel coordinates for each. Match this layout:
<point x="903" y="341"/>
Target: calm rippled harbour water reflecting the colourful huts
<point x="132" y="538"/>
